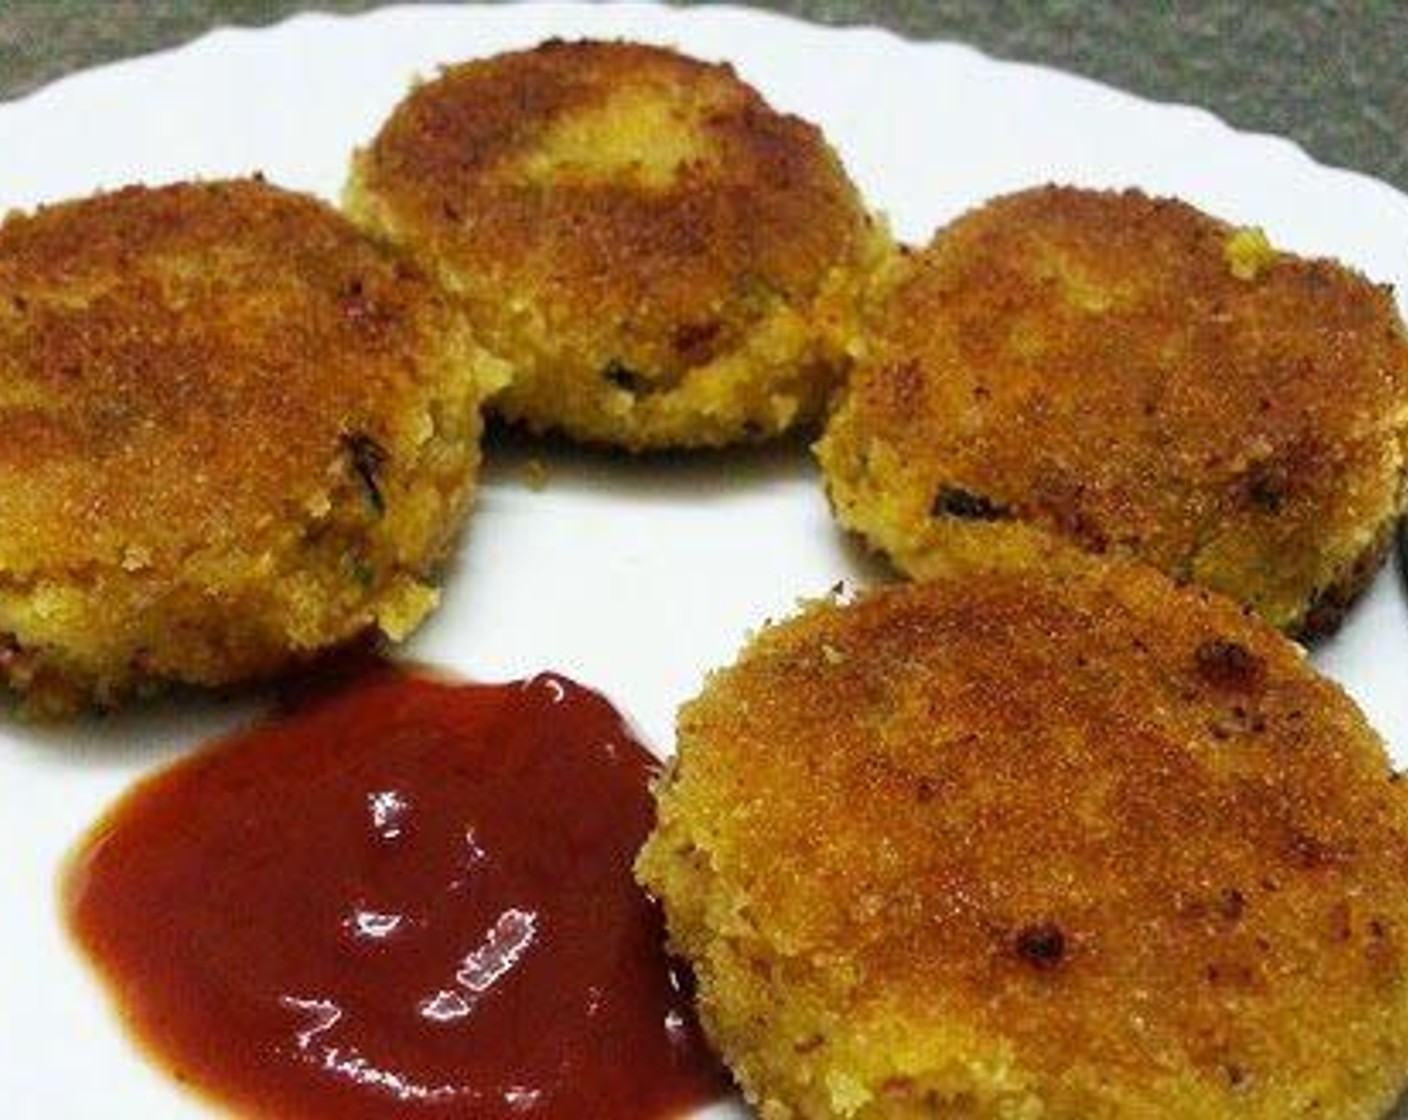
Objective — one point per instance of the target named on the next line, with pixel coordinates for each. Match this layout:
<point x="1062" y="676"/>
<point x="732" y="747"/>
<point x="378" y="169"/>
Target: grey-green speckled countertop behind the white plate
<point x="1328" y="74"/>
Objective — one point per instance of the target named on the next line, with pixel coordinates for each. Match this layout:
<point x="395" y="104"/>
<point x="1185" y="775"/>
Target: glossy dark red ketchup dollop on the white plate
<point x="403" y="898"/>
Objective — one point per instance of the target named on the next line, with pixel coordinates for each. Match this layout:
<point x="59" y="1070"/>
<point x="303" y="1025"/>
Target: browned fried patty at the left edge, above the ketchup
<point x="233" y="430"/>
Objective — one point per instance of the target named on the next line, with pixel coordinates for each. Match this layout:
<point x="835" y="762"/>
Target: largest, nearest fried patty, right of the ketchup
<point x="1026" y="845"/>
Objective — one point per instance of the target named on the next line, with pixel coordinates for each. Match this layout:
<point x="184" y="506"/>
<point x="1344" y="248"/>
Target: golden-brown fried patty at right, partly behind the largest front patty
<point x="1134" y="377"/>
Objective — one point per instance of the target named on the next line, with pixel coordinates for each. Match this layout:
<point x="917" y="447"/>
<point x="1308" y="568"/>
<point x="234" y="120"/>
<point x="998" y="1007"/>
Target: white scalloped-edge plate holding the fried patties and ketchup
<point x="633" y="578"/>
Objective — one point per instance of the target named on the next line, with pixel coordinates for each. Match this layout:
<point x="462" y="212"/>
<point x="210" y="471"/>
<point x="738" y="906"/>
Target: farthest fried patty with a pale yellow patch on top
<point x="664" y="260"/>
